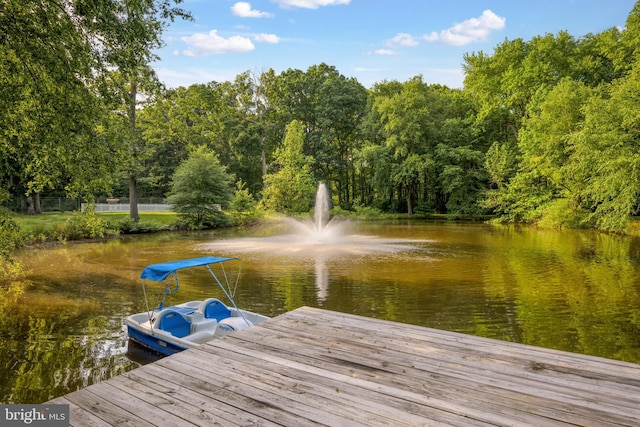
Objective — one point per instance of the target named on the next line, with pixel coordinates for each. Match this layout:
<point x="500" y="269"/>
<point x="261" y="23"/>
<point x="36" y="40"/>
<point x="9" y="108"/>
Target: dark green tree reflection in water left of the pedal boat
<point x="45" y="357"/>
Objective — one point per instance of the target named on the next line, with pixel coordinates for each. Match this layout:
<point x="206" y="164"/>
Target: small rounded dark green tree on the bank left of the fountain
<point x="201" y="185"/>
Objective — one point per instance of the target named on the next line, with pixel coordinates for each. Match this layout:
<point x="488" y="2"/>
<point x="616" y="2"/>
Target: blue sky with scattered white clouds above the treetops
<point x="370" y="40"/>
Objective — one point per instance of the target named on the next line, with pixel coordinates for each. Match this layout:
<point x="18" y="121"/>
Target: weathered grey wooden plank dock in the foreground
<point x="317" y="367"/>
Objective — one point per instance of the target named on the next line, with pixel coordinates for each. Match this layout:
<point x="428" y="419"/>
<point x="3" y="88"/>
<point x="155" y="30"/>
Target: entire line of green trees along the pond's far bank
<point x="544" y="131"/>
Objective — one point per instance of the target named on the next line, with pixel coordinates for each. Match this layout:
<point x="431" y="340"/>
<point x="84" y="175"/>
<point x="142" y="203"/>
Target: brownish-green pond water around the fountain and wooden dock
<point x="577" y="291"/>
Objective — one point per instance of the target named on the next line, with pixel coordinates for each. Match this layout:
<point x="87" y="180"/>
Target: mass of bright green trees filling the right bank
<point x="572" y="159"/>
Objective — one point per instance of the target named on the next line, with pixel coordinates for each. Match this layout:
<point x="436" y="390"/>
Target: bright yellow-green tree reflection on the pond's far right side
<point x="570" y="290"/>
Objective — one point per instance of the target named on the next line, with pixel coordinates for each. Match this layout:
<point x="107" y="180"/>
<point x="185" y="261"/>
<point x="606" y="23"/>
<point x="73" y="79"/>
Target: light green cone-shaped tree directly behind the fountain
<point x="292" y="188"/>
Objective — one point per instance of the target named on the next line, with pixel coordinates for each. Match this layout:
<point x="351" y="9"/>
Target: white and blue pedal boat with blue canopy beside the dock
<point x="168" y="330"/>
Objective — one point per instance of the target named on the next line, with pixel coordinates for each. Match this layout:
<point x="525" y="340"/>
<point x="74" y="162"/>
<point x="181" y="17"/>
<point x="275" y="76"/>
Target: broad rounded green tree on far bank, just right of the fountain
<point x="432" y="152"/>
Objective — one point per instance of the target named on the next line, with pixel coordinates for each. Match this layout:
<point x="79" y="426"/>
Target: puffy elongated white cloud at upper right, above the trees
<point x="469" y="31"/>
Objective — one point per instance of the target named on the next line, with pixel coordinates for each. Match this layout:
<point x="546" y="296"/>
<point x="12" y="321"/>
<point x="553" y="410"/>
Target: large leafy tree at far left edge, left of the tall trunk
<point x="49" y="103"/>
